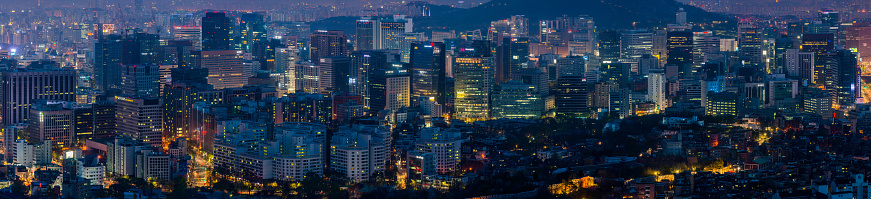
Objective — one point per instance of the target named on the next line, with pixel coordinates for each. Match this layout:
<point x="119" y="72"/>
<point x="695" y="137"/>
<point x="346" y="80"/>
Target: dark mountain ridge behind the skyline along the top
<point x="608" y="14"/>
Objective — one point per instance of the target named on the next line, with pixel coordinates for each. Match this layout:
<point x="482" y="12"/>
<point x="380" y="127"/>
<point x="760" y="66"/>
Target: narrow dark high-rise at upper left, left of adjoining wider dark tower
<point x="107" y="62"/>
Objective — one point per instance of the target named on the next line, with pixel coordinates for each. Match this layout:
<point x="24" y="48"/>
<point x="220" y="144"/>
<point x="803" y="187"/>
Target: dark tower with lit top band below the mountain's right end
<point x="680" y="50"/>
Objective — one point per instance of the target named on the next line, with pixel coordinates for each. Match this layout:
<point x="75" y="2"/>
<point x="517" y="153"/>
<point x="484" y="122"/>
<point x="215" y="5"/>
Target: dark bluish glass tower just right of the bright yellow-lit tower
<point x="513" y="56"/>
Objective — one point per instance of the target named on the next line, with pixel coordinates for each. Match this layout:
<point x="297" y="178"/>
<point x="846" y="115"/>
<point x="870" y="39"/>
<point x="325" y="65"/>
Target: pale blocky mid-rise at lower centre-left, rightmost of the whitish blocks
<point x="359" y="151"/>
